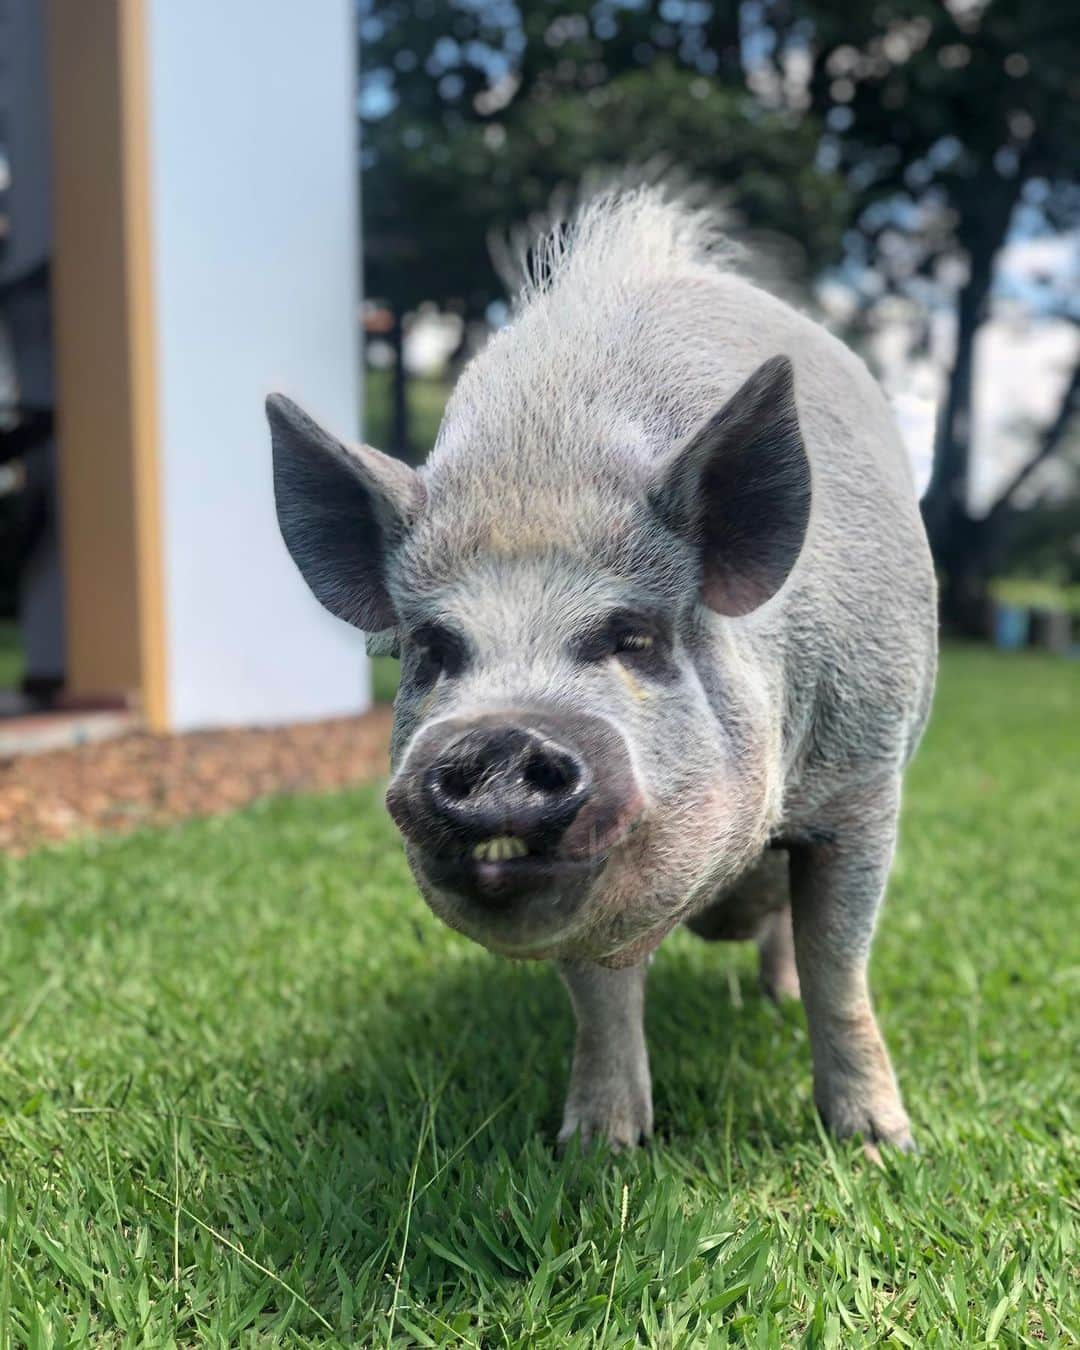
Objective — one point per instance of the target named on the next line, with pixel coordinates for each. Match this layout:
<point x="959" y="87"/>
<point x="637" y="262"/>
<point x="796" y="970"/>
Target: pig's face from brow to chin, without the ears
<point x="542" y="755"/>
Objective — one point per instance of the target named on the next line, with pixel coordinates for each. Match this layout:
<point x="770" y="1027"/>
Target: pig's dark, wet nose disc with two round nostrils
<point x="499" y="782"/>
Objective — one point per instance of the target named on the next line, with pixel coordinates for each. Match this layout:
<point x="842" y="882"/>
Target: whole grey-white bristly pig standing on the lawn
<point x="666" y="618"/>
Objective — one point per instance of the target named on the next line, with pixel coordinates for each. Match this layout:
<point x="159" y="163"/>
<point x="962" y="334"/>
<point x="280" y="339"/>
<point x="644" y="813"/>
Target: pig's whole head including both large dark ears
<point x="562" y="778"/>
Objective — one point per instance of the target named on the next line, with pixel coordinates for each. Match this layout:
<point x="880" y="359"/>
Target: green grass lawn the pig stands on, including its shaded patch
<point x="253" y="1094"/>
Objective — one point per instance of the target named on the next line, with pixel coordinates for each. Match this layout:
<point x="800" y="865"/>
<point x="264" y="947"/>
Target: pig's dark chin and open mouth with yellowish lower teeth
<point x="523" y="908"/>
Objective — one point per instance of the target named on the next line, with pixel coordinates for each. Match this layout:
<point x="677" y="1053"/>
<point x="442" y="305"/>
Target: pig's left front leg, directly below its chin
<point x="611" y="1096"/>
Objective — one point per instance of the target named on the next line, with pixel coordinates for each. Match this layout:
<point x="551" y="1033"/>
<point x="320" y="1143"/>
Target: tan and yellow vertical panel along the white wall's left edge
<point x="105" y="346"/>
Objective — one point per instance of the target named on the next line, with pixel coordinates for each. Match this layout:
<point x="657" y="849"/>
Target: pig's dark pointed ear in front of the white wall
<point x="341" y="512"/>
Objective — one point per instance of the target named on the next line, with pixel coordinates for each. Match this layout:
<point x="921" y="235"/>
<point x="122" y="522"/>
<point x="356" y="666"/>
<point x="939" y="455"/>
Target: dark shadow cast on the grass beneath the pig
<point x="453" y="1091"/>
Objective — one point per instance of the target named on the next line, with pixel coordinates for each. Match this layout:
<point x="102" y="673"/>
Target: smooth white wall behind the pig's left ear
<point x="256" y="257"/>
